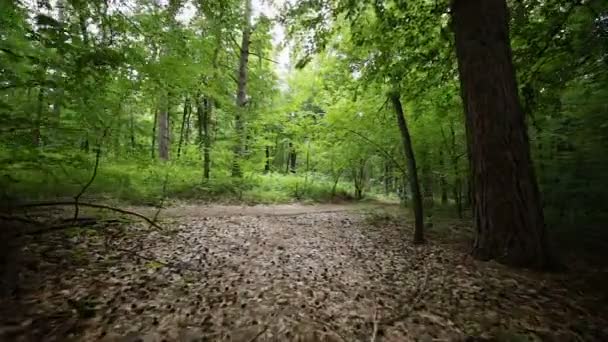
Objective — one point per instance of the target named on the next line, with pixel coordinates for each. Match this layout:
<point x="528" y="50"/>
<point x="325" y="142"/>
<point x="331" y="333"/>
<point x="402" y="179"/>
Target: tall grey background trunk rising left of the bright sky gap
<point x="241" y="94"/>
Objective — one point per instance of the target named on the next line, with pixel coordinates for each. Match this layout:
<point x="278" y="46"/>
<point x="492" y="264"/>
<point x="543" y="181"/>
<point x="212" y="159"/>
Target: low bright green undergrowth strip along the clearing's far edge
<point x="146" y="183"/>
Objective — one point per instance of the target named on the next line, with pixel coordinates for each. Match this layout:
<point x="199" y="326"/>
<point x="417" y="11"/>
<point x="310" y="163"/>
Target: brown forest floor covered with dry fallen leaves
<point x="285" y="273"/>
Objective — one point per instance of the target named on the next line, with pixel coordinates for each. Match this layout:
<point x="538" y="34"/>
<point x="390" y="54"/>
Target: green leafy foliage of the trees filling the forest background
<point x="92" y="75"/>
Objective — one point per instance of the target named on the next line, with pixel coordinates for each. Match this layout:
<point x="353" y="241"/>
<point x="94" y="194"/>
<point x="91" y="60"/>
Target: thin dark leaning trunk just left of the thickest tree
<point x="411" y="169"/>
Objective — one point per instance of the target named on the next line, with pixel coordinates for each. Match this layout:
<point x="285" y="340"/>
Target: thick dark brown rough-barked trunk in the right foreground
<point x="509" y="220"/>
